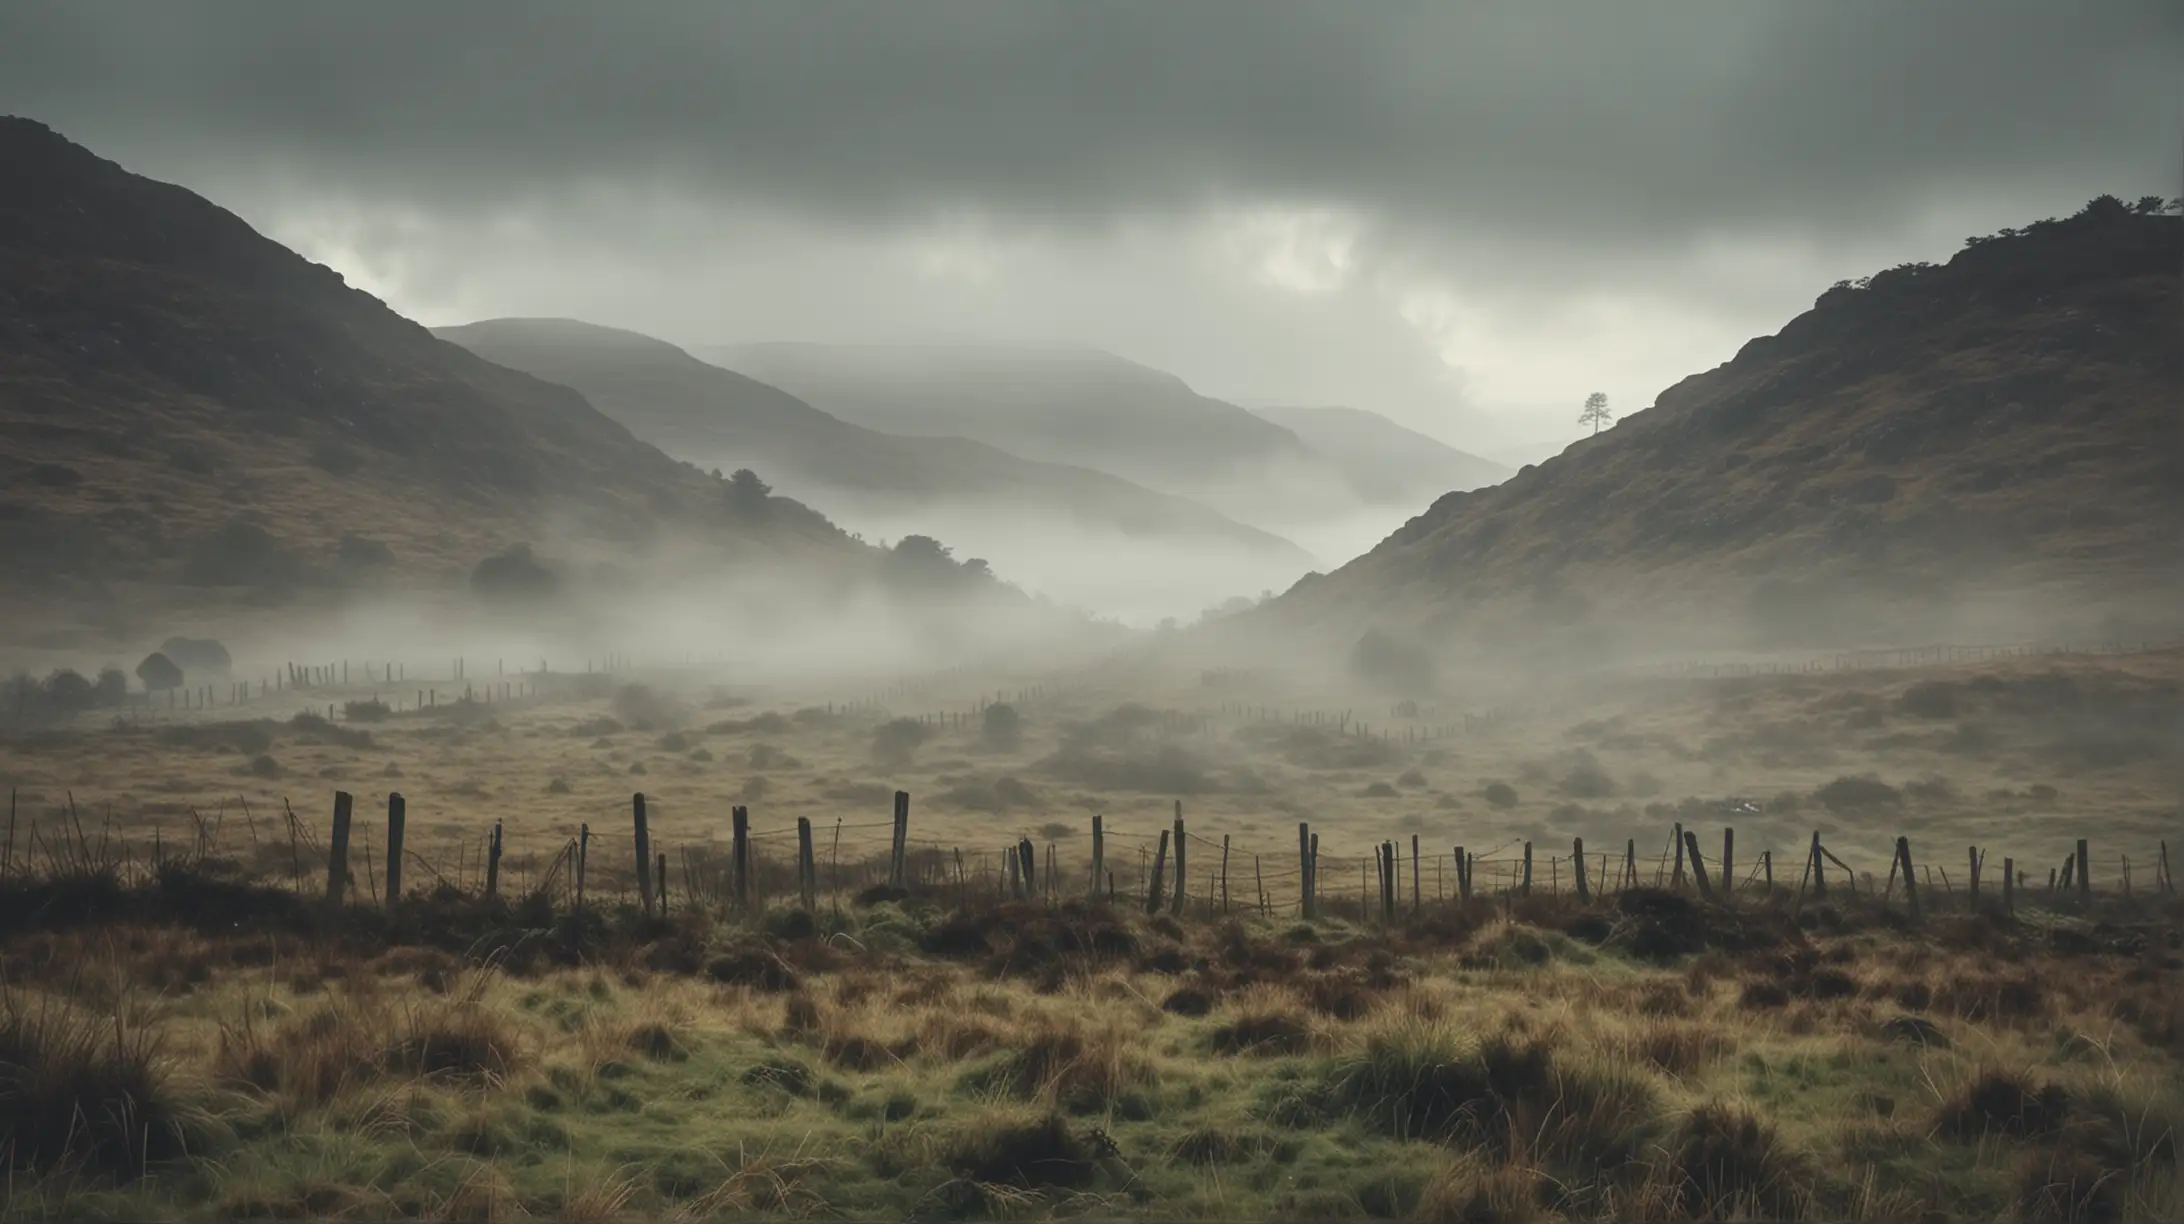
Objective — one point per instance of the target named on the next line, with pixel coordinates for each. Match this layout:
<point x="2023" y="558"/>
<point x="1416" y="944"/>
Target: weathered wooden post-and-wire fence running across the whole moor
<point x="1161" y="871"/>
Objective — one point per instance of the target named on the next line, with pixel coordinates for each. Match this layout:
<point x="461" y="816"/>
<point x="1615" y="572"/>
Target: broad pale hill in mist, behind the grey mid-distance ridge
<point x="1060" y="405"/>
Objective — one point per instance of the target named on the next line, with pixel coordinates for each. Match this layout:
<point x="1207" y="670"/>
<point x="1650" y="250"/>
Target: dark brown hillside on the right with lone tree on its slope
<point x="1984" y="447"/>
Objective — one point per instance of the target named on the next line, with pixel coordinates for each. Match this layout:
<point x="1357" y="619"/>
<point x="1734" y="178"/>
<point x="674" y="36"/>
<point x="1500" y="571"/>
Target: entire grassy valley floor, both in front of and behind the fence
<point x="189" y="1033"/>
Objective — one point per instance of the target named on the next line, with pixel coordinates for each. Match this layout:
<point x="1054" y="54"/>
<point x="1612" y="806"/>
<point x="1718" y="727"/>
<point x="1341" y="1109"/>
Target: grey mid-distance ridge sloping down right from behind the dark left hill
<point x="720" y="419"/>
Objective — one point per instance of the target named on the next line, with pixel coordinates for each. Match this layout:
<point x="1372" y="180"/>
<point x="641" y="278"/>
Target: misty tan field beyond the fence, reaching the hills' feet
<point x="2017" y="755"/>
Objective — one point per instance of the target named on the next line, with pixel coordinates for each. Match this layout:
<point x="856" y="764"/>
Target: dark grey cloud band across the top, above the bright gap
<point x="1600" y="123"/>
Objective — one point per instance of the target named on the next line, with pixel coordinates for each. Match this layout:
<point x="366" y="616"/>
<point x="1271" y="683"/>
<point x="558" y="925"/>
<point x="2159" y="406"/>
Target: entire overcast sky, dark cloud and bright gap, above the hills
<point x="1467" y="217"/>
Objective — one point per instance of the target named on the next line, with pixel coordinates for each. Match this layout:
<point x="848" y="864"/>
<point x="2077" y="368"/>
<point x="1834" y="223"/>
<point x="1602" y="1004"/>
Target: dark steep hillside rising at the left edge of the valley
<point x="187" y="401"/>
